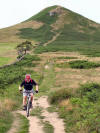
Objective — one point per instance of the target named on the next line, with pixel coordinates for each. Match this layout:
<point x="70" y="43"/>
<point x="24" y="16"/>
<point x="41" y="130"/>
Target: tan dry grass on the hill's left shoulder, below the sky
<point x="9" y="34"/>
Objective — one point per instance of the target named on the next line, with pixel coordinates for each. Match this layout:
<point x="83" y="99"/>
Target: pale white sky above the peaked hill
<point x="15" y="11"/>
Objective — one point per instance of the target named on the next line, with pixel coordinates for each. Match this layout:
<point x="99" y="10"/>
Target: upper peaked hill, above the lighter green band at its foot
<point x="50" y="21"/>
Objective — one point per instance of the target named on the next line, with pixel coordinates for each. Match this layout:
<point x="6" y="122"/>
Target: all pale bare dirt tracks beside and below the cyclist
<point x="35" y="122"/>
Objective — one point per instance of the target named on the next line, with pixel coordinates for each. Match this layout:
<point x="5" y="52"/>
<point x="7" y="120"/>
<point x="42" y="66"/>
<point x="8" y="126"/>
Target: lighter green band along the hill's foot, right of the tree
<point x="87" y="48"/>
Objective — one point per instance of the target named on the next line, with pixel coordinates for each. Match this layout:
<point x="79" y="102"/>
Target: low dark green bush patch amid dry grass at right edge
<point x="83" y="64"/>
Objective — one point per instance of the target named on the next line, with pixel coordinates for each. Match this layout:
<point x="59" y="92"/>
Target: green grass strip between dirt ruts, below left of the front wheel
<point x="24" y="124"/>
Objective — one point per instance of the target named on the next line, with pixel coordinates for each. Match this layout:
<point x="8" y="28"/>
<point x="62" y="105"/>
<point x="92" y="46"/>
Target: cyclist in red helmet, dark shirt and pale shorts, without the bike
<point x="28" y="85"/>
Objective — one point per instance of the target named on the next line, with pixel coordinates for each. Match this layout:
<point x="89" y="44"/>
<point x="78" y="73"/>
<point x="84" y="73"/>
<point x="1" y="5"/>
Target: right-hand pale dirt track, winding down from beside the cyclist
<point x="53" y="118"/>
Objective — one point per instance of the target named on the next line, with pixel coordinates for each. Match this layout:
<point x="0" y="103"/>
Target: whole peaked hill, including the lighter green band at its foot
<point x="75" y="32"/>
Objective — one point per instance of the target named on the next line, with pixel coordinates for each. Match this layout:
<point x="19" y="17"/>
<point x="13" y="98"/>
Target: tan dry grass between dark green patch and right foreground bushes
<point x="72" y="78"/>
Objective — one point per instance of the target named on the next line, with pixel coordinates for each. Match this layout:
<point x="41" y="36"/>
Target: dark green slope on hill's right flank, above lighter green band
<point x="69" y="33"/>
